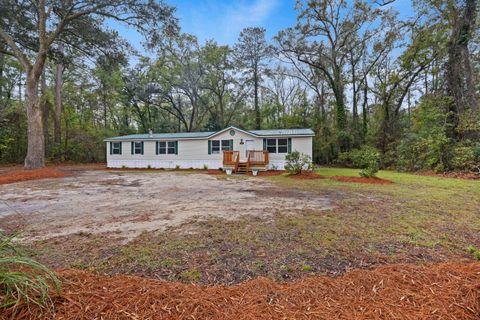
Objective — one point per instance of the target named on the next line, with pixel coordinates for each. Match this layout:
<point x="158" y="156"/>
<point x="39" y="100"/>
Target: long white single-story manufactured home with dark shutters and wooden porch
<point x="230" y="148"/>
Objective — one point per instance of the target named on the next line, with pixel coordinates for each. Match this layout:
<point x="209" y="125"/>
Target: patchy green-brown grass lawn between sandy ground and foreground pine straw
<point x="416" y="219"/>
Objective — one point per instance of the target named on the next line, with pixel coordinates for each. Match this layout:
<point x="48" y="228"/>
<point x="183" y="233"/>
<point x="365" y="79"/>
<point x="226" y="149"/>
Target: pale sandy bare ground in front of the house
<point x="126" y="203"/>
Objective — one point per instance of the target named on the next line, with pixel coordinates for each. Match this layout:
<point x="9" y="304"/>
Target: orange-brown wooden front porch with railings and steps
<point x="255" y="160"/>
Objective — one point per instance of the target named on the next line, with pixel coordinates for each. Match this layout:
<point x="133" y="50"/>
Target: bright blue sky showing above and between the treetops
<point x="222" y="20"/>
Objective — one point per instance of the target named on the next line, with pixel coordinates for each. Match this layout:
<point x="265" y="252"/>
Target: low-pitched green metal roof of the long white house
<point x="206" y="134"/>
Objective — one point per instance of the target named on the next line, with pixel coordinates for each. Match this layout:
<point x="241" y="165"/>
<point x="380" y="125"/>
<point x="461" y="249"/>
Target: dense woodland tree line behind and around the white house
<point x="356" y="72"/>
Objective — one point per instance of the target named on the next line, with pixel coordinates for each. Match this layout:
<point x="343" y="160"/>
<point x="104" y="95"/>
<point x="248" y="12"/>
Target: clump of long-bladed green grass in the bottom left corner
<point x="23" y="280"/>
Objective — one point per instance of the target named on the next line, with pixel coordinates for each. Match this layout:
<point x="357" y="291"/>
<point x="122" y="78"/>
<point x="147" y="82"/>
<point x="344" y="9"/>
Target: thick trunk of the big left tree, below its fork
<point x="36" y="147"/>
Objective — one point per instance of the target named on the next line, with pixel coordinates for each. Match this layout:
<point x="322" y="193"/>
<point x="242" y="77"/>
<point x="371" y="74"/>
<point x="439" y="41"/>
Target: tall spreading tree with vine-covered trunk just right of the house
<point x="323" y="38"/>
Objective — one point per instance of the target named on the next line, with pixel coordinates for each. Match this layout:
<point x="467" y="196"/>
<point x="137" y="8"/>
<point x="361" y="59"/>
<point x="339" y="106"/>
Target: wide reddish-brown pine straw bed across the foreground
<point x="435" y="291"/>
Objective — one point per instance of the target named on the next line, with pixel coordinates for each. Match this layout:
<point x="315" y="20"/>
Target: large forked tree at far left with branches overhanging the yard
<point x="30" y="29"/>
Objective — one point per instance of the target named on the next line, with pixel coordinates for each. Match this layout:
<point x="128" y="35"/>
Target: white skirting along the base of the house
<point x="183" y="164"/>
